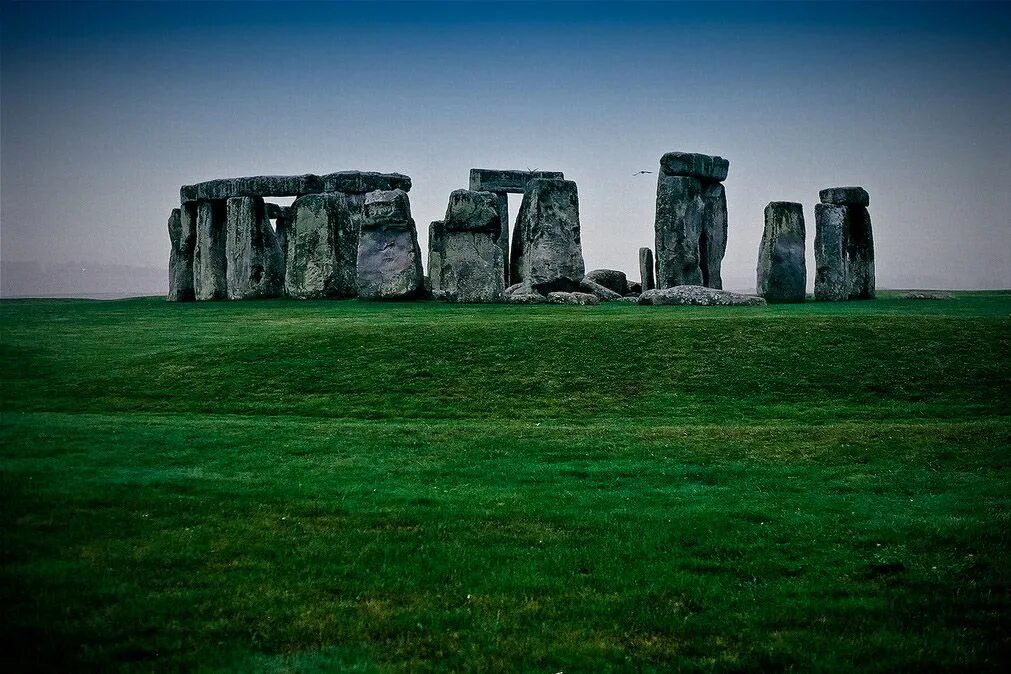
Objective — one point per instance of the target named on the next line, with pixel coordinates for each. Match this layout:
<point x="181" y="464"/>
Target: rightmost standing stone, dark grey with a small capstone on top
<point x="845" y="247"/>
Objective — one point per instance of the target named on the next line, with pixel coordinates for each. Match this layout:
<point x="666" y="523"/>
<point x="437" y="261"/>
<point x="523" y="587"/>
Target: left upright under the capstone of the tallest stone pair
<point x="679" y="227"/>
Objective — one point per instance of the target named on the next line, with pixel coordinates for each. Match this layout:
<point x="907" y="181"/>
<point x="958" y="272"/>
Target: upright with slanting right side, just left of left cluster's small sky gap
<point x="254" y="263"/>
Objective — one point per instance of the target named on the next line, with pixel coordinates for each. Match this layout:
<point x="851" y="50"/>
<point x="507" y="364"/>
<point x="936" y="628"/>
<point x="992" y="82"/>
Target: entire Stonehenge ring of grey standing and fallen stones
<point x="351" y="235"/>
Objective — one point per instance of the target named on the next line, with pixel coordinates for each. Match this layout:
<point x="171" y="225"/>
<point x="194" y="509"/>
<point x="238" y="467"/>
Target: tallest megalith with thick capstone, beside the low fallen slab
<point x="691" y="223"/>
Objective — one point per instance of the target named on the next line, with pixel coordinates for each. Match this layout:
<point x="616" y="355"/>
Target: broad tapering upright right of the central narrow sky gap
<point x="549" y="254"/>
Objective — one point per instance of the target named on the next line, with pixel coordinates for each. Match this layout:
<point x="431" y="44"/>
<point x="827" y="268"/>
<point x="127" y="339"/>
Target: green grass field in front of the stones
<point x="320" y="487"/>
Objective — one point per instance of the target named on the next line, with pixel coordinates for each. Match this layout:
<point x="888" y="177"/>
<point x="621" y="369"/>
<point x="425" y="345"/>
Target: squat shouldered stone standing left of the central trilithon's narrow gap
<point x="467" y="263"/>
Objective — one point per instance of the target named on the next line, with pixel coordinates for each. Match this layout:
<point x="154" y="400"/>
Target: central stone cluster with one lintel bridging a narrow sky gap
<point x="471" y="259"/>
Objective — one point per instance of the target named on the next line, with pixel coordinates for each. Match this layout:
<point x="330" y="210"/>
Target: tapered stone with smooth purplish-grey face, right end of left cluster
<point x="390" y="259"/>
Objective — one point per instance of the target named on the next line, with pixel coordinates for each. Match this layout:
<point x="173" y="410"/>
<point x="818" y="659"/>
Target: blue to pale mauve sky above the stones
<point x="107" y="110"/>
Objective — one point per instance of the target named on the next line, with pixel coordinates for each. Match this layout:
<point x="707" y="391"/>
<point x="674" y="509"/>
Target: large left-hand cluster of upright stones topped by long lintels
<point x="347" y="235"/>
